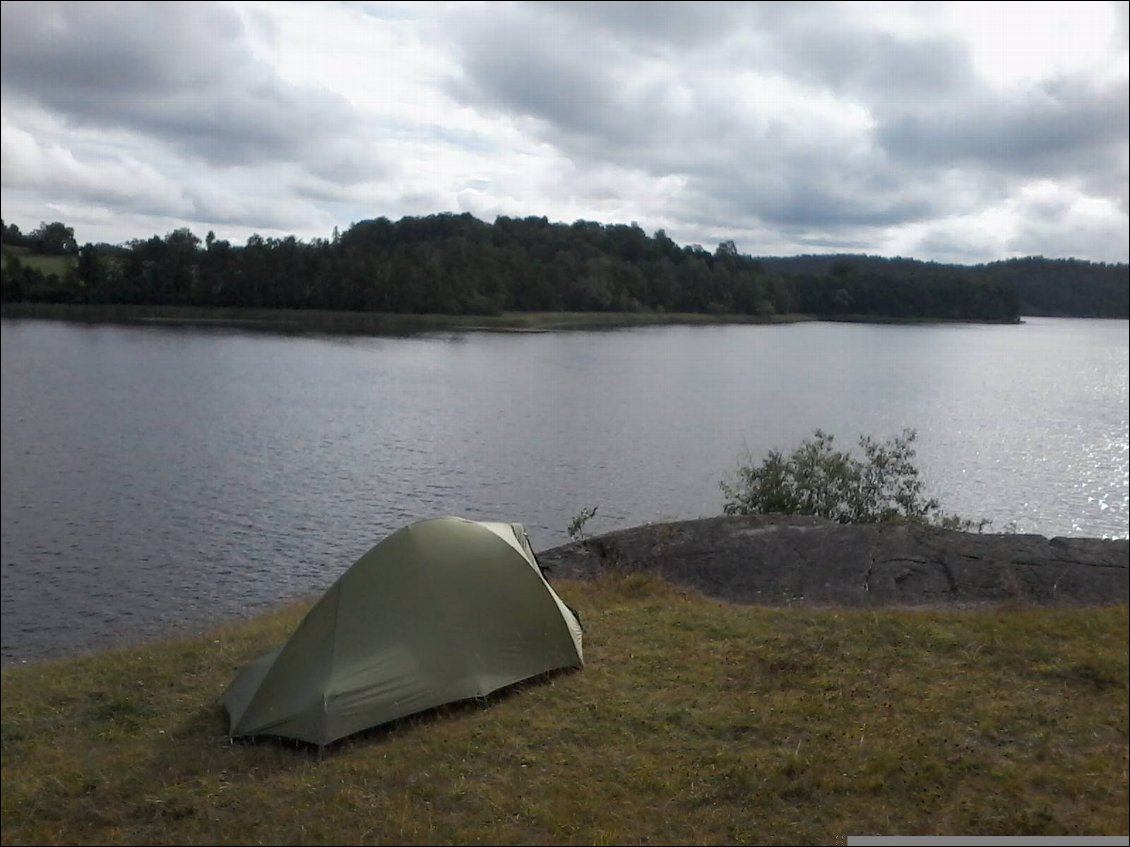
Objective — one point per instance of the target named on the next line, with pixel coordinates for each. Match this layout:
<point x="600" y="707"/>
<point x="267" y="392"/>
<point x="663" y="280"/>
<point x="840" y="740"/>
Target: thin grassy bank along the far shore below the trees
<point x="366" y="324"/>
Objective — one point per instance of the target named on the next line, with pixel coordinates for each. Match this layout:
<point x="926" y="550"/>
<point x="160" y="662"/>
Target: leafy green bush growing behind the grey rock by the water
<point x="816" y="479"/>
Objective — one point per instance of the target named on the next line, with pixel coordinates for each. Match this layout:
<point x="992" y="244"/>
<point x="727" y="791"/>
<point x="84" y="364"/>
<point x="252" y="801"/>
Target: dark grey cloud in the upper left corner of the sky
<point x="180" y="73"/>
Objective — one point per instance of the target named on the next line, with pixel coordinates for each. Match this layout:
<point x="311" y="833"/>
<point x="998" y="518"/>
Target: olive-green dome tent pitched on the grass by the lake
<point x="442" y="610"/>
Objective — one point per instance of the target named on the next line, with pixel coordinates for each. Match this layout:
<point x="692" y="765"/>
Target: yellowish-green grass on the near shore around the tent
<point x="694" y="722"/>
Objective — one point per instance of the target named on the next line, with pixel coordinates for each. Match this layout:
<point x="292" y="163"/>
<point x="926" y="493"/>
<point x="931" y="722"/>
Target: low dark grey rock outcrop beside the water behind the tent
<point x="778" y="561"/>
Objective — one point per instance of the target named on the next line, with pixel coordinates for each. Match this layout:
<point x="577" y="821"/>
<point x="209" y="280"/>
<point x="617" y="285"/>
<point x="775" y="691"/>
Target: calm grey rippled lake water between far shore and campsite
<point x="162" y="479"/>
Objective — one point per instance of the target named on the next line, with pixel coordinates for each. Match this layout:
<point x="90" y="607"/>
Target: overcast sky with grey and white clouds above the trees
<point x="958" y="133"/>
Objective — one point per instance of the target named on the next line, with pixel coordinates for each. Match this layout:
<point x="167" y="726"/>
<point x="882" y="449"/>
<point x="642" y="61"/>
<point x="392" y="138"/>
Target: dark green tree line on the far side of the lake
<point x="458" y="265"/>
